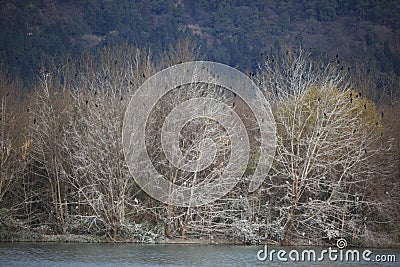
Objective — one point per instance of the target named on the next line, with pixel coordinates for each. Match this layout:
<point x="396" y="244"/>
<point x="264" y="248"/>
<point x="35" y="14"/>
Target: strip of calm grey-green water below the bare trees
<point x="64" y="254"/>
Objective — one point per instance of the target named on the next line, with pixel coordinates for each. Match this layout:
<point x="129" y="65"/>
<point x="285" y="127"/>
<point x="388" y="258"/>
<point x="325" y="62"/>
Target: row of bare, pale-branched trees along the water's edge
<point x="335" y="174"/>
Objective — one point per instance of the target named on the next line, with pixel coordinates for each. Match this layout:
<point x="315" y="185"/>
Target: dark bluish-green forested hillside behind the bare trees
<point x="231" y="32"/>
